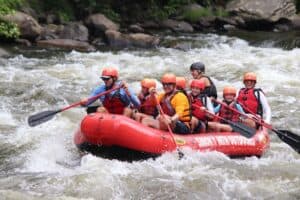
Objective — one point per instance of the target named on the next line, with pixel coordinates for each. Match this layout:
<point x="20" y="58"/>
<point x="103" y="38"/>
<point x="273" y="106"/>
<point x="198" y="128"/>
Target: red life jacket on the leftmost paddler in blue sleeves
<point x="113" y="103"/>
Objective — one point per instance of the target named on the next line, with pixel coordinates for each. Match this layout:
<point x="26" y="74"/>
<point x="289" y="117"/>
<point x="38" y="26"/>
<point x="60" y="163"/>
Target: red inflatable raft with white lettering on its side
<point x="116" y="136"/>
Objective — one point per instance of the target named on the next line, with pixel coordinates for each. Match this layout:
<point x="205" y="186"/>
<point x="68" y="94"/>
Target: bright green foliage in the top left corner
<point x="8" y="30"/>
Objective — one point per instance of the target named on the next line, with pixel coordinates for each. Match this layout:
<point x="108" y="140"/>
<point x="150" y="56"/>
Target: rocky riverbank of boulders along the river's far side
<point x="97" y="30"/>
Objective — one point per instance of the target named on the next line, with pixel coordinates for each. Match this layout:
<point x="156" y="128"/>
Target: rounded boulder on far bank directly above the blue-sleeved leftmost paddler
<point x="98" y="23"/>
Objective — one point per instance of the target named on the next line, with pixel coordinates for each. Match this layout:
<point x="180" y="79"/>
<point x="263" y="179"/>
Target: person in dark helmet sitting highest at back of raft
<point x="197" y="70"/>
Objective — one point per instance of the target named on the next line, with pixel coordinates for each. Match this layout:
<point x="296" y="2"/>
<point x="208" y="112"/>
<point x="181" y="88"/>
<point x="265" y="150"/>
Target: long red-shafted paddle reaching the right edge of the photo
<point x="286" y="136"/>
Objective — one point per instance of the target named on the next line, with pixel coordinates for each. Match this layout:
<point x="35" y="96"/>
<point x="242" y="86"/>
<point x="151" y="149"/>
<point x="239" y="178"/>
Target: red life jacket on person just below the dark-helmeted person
<point x="196" y="103"/>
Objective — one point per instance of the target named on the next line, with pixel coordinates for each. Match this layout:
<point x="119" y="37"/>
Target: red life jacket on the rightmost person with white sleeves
<point x="249" y="101"/>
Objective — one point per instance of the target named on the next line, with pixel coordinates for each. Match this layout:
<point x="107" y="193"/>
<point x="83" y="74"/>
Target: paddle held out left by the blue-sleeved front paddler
<point x="44" y="116"/>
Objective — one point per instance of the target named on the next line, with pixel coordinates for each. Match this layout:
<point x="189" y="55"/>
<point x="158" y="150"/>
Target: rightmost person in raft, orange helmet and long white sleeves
<point x="252" y="99"/>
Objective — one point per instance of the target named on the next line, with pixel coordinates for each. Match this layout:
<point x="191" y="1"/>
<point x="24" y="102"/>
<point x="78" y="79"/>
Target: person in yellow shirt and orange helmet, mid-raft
<point x="175" y="106"/>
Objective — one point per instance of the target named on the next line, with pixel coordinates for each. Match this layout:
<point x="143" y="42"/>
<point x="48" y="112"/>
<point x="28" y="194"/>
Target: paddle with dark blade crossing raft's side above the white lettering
<point x="238" y="127"/>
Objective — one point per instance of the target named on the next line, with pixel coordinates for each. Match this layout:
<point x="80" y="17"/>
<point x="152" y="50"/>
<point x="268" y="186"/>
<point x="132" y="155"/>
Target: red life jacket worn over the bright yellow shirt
<point x="168" y="109"/>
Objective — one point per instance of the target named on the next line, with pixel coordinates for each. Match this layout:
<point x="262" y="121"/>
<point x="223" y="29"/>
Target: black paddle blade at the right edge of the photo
<point x="292" y="139"/>
